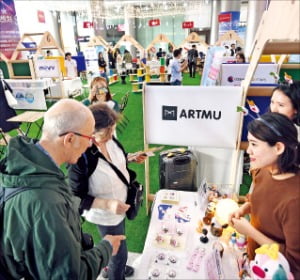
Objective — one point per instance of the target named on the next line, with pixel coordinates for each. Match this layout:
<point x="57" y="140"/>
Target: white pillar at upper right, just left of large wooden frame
<point x="255" y="11"/>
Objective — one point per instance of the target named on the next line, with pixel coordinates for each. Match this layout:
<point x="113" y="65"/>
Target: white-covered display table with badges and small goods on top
<point x="172" y="241"/>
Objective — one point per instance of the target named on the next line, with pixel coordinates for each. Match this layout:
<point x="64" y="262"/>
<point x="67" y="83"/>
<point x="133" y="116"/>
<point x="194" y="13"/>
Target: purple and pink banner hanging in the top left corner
<point x="9" y="30"/>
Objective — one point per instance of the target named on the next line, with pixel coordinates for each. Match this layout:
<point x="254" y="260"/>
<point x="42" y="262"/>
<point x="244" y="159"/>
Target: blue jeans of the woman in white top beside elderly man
<point x="116" y="266"/>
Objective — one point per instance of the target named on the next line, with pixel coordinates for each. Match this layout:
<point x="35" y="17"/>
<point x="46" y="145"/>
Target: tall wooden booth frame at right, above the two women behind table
<point x="280" y="36"/>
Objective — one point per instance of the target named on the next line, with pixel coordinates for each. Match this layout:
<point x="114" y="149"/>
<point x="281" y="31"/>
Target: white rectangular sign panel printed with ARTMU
<point x="192" y="115"/>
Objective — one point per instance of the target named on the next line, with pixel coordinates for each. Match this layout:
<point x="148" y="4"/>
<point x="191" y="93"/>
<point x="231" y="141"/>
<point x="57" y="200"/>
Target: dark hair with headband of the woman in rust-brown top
<point x="273" y="128"/>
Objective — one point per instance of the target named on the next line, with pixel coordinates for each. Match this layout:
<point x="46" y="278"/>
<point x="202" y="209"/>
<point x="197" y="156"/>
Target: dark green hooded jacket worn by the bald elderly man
<point x="41" y="233"/>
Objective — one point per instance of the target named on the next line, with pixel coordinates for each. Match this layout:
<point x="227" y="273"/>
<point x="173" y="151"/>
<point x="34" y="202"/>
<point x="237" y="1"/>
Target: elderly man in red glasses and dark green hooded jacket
<point x="40" y="235"/>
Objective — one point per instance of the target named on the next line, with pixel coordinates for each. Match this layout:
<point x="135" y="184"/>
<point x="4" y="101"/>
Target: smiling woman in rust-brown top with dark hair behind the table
<point x="274" y="203"/>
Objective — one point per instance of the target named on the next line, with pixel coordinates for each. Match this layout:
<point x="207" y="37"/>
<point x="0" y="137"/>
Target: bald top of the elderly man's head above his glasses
<point x="65" y="115"/>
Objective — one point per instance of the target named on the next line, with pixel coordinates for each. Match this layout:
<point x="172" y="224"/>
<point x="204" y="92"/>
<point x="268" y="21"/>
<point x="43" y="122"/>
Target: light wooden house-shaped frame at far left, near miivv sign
<point x="46" y="42"/>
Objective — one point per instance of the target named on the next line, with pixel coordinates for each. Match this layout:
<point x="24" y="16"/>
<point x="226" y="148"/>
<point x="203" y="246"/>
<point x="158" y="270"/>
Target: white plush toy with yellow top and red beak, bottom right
<point x="269" y="263"/>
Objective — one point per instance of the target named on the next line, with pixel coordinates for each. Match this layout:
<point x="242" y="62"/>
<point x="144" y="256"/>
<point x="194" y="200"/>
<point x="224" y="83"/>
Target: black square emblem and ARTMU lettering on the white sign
<point x="171" y="113"/>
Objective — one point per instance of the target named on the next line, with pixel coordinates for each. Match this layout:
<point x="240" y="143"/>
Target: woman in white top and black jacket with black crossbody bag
<point x="102" y="192"/>
